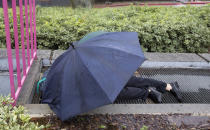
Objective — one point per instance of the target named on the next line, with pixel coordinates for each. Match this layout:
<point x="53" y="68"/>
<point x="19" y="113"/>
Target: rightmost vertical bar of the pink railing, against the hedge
<point x="34" y="16"/>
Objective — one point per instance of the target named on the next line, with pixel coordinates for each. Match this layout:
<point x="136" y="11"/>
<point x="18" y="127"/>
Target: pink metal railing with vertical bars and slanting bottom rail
<point x="30" y="41"/>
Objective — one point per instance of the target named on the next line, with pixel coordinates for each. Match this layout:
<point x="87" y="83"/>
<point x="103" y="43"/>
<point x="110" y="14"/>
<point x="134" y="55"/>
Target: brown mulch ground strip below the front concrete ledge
<point x="123" y="122"/>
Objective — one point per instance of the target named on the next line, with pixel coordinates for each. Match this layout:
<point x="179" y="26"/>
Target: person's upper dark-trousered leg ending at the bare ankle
<point x="146" y="82"/>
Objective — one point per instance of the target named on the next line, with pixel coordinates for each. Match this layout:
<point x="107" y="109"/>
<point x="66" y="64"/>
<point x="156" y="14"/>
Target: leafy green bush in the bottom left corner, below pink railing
<point x="13" y="118"/>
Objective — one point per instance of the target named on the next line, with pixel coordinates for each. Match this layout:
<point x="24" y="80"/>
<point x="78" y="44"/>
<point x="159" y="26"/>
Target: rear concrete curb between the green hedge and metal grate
<point x="168" y="60"/>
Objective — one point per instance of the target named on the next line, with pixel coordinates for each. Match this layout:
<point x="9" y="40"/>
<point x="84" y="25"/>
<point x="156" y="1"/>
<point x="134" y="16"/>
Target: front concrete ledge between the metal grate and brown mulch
<point x="41" y="110"/>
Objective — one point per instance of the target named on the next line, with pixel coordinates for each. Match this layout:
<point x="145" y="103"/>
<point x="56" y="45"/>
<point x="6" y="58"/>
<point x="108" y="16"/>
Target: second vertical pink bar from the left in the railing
<point x="16" y="42"/>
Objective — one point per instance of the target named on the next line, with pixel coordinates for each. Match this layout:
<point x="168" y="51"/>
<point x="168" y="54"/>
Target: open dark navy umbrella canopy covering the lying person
<point x="92" y="72"/>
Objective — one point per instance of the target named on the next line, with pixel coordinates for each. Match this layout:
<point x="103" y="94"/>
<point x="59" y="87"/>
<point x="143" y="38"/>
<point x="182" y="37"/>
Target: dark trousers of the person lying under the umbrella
<point x="137" y="88"/>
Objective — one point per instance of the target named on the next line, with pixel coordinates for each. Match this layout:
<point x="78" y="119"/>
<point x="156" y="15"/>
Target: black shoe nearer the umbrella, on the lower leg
<point x="155" y="95"/>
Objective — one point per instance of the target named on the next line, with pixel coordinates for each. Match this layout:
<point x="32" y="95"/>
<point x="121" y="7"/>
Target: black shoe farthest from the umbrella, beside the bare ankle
<point x="176" y="91"/>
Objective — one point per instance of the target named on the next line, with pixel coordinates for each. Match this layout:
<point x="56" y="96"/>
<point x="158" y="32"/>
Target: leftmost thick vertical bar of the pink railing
<point x="9" y="51"/>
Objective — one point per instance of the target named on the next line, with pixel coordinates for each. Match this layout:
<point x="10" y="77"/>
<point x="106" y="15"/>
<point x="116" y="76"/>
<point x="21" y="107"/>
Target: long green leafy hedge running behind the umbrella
<point x="160" y="29"/>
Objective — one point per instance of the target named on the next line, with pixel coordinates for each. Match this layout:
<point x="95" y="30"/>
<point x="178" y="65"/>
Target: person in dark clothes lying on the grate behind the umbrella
<point x="138" y="88"/>
